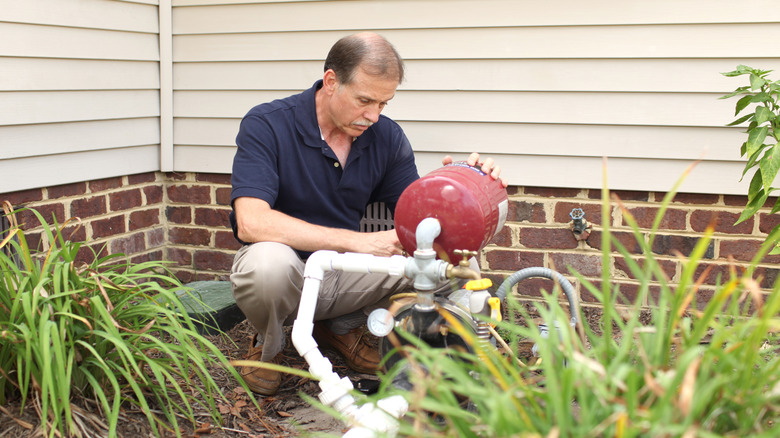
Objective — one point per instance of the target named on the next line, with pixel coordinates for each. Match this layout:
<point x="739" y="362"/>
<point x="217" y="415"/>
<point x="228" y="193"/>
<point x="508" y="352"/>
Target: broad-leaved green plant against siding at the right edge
<point x="761" y="148"/>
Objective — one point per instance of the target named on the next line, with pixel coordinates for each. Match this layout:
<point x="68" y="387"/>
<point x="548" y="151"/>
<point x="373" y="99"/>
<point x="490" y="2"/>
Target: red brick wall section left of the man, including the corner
<point x="182" y="218"/>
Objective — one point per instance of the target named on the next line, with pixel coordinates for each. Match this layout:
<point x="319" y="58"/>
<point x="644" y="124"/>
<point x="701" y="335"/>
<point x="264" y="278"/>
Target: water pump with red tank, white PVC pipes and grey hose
<point x="443" y="220"/>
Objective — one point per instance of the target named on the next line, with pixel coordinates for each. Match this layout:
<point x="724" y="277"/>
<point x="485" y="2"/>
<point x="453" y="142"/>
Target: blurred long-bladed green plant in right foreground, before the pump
<point x="697" y="369"/>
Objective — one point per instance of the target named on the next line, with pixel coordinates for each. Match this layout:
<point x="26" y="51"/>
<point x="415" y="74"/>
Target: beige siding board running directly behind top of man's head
<point x="496" y="43"/>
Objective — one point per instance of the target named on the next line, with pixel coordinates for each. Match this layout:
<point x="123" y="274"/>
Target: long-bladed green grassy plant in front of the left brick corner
<point x="98" y="337"/>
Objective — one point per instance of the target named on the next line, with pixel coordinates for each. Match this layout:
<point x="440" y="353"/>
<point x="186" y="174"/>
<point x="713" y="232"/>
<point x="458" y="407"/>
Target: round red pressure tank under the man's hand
<point x="470" y="205"/>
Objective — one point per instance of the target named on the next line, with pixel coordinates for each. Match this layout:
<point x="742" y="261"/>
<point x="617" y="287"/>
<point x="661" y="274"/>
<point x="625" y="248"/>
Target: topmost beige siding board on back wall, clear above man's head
<point x="244" y="16"/>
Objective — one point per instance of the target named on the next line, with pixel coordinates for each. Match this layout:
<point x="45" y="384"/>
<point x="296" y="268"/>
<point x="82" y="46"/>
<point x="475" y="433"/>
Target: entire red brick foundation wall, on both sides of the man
<point x="183" y="218"/>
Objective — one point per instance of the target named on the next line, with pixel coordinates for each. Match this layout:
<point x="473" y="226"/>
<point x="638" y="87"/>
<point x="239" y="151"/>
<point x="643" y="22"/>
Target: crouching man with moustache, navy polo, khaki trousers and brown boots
<point x="305" y="170"/>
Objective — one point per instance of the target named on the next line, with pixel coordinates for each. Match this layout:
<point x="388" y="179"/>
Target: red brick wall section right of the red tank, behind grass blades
<point x="538" y="233"/>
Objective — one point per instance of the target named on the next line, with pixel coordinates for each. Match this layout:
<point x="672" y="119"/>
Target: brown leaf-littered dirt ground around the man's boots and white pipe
<point x="285" y="414"/>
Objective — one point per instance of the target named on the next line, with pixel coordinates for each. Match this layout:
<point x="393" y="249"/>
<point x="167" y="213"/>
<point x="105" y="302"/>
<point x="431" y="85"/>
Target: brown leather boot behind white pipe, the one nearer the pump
<point x="359" y="354"/>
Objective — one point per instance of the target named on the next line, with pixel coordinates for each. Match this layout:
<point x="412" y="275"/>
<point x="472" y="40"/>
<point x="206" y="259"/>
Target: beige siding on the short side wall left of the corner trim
<point x="79" y="91"/>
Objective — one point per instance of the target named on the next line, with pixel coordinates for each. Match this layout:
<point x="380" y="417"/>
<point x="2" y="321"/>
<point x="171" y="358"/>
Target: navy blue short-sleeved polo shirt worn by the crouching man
<point x="283" y="160"/>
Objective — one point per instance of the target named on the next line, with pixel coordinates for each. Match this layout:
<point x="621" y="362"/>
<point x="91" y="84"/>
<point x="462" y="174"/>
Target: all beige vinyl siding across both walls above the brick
<point x="547" y="88"/>
